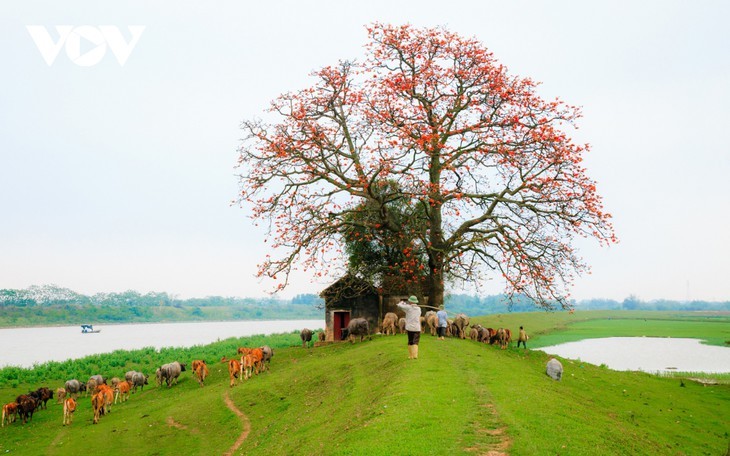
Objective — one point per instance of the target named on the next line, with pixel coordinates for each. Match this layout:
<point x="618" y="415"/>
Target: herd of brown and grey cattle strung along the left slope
<point x="104" y="393"/>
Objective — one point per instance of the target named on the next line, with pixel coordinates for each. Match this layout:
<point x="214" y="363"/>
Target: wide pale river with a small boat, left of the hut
<point x="27" y="346"/>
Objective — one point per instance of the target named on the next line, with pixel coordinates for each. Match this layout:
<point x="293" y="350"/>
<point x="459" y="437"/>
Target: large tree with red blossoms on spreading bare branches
<point x="487" y="166"/>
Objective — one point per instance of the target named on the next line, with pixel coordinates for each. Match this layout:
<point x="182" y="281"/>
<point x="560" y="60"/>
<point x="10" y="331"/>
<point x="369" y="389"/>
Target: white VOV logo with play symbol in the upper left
<point x="94" y="41"/>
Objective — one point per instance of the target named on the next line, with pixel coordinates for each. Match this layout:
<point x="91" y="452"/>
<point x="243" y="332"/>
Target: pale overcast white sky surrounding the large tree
<point x="118" y="177"/>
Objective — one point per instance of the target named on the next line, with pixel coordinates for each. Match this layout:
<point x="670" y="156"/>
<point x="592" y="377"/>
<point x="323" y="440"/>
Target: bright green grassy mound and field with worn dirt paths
<point x="459" y="397"/>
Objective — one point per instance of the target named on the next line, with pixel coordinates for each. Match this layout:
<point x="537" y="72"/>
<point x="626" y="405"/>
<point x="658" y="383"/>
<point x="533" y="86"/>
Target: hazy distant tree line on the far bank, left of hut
<point x="51" y="305"/>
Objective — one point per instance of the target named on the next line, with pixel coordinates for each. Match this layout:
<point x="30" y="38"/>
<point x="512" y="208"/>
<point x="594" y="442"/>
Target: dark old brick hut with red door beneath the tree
<point x="350" y="298"/>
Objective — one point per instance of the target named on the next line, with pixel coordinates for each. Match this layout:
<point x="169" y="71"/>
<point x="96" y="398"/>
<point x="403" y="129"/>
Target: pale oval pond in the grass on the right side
<point x="647" y="354"/>
